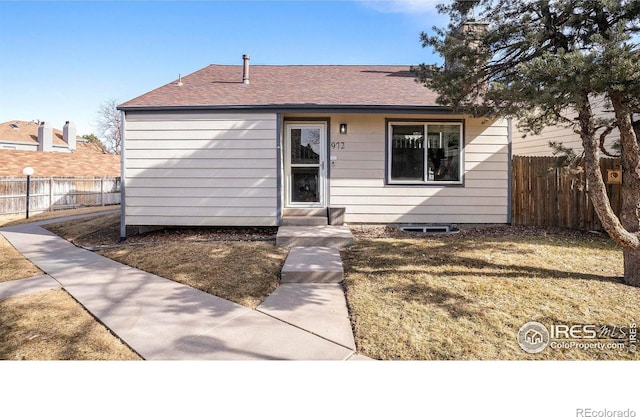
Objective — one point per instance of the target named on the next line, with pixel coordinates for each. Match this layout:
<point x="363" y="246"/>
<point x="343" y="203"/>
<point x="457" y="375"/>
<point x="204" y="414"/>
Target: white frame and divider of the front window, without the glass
<point x="425" y="125"/>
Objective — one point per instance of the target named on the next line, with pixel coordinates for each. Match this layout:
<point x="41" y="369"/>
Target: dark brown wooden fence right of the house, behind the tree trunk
<point x="544" y="195"/>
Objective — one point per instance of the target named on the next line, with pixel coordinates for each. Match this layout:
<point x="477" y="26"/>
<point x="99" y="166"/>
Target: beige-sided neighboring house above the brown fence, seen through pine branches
<point x="538" y="145"/>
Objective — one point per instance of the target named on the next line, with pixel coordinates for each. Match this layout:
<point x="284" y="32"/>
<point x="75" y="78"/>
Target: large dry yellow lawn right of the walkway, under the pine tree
<point x="465" y="296"/>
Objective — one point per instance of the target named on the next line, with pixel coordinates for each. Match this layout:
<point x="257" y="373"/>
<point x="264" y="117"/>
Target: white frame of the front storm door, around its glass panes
<point x="322" y="164"/>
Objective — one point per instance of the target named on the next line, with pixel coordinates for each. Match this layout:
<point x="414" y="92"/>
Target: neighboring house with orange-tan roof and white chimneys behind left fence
<point x="62" y="154"/>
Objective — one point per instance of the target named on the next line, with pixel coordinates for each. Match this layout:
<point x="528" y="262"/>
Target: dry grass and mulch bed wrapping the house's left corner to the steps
<point x="215" y="261"/>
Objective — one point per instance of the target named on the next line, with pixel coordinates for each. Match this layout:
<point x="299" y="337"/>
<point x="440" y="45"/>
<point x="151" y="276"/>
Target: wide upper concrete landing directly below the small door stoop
<point x="328" y="236"/>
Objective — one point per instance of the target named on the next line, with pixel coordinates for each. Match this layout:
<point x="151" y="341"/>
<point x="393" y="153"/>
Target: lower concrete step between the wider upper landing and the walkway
<point x="313" y="264"/>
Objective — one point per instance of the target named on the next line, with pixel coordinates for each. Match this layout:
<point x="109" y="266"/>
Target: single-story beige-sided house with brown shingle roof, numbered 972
<point x="241" y="145"/>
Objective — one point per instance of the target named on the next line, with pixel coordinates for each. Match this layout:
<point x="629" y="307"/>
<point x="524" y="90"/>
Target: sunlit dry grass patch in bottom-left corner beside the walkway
<point x="50" y="325"/>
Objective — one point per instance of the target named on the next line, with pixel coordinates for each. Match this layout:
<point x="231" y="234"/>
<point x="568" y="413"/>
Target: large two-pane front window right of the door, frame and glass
<point x="425" y="153"/>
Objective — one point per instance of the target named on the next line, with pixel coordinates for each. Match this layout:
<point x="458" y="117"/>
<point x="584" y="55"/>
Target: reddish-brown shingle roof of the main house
<point x="220" y="86"/>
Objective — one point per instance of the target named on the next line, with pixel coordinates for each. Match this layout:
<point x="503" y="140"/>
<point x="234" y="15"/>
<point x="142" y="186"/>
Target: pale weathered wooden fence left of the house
<point x="48" y="194"/>
